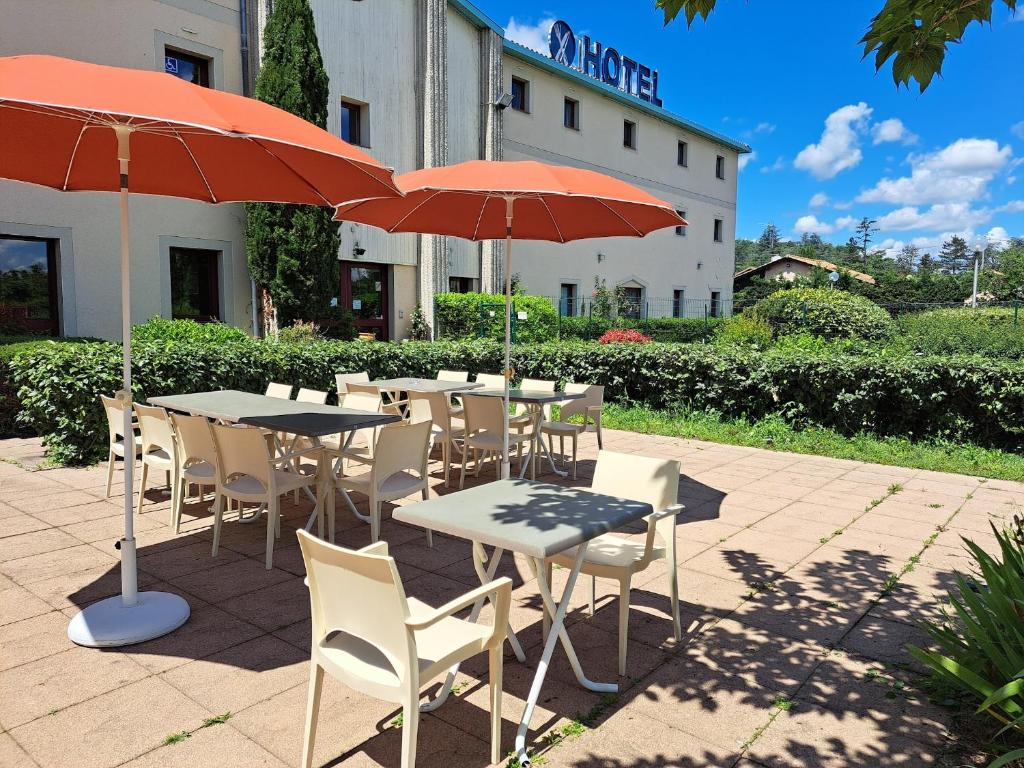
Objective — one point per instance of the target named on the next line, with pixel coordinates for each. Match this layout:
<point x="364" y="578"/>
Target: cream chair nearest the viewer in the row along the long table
<point x="249" y="473"/>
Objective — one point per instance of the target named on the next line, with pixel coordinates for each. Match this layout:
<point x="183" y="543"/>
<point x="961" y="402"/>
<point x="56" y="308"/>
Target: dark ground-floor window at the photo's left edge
<point x="29" y="285"/>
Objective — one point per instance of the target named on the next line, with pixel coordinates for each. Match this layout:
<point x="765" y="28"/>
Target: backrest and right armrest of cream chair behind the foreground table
<point x="642" y="479"/>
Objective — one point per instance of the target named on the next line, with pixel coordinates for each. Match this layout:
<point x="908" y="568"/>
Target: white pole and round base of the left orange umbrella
<point x="129" y="618"/>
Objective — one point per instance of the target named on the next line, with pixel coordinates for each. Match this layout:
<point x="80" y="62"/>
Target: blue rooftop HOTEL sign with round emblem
<point x="607" y="65"/>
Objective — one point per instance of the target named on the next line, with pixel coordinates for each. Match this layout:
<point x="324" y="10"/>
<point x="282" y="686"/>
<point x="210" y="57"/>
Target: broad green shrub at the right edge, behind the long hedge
<point x="989" y="332"/>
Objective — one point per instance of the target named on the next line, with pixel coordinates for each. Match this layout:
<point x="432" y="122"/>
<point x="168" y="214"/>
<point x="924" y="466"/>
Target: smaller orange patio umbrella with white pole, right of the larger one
<point x="523" y="200"/>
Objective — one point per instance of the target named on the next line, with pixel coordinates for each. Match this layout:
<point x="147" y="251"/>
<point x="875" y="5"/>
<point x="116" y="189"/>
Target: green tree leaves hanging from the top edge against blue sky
<point x="915" y="34"/>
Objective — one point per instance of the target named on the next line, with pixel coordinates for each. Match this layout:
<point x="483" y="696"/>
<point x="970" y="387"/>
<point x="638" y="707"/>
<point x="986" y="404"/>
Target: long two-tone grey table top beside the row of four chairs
<point x="308" y="419"/>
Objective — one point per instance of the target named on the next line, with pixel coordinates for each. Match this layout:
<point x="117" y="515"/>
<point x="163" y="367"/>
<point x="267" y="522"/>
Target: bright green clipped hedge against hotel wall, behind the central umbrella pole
<point x="482" y="316"/>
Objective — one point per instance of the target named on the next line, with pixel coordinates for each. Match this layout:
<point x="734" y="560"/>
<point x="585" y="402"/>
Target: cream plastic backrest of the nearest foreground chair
<point x="360" y="593"/>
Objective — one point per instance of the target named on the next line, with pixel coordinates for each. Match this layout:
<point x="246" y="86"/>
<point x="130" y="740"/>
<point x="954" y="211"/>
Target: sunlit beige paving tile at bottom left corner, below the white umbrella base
<point x="112" y="729"/>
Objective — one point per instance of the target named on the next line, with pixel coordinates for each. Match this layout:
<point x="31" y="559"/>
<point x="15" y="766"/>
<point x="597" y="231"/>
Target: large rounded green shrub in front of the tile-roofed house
<point x="826" y="313"/>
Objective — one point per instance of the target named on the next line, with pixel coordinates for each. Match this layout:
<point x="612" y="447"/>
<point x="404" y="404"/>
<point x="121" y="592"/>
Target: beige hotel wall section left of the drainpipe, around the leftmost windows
<point x="126" y="33"/>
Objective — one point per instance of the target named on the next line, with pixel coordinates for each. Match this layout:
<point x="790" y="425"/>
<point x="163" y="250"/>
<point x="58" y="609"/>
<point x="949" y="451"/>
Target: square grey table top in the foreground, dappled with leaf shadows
<point x="535" y="519"/>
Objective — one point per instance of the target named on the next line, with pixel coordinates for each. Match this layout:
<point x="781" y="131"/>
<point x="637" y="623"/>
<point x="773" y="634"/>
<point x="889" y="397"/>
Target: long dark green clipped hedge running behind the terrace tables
<point x="967" y="399"/>
